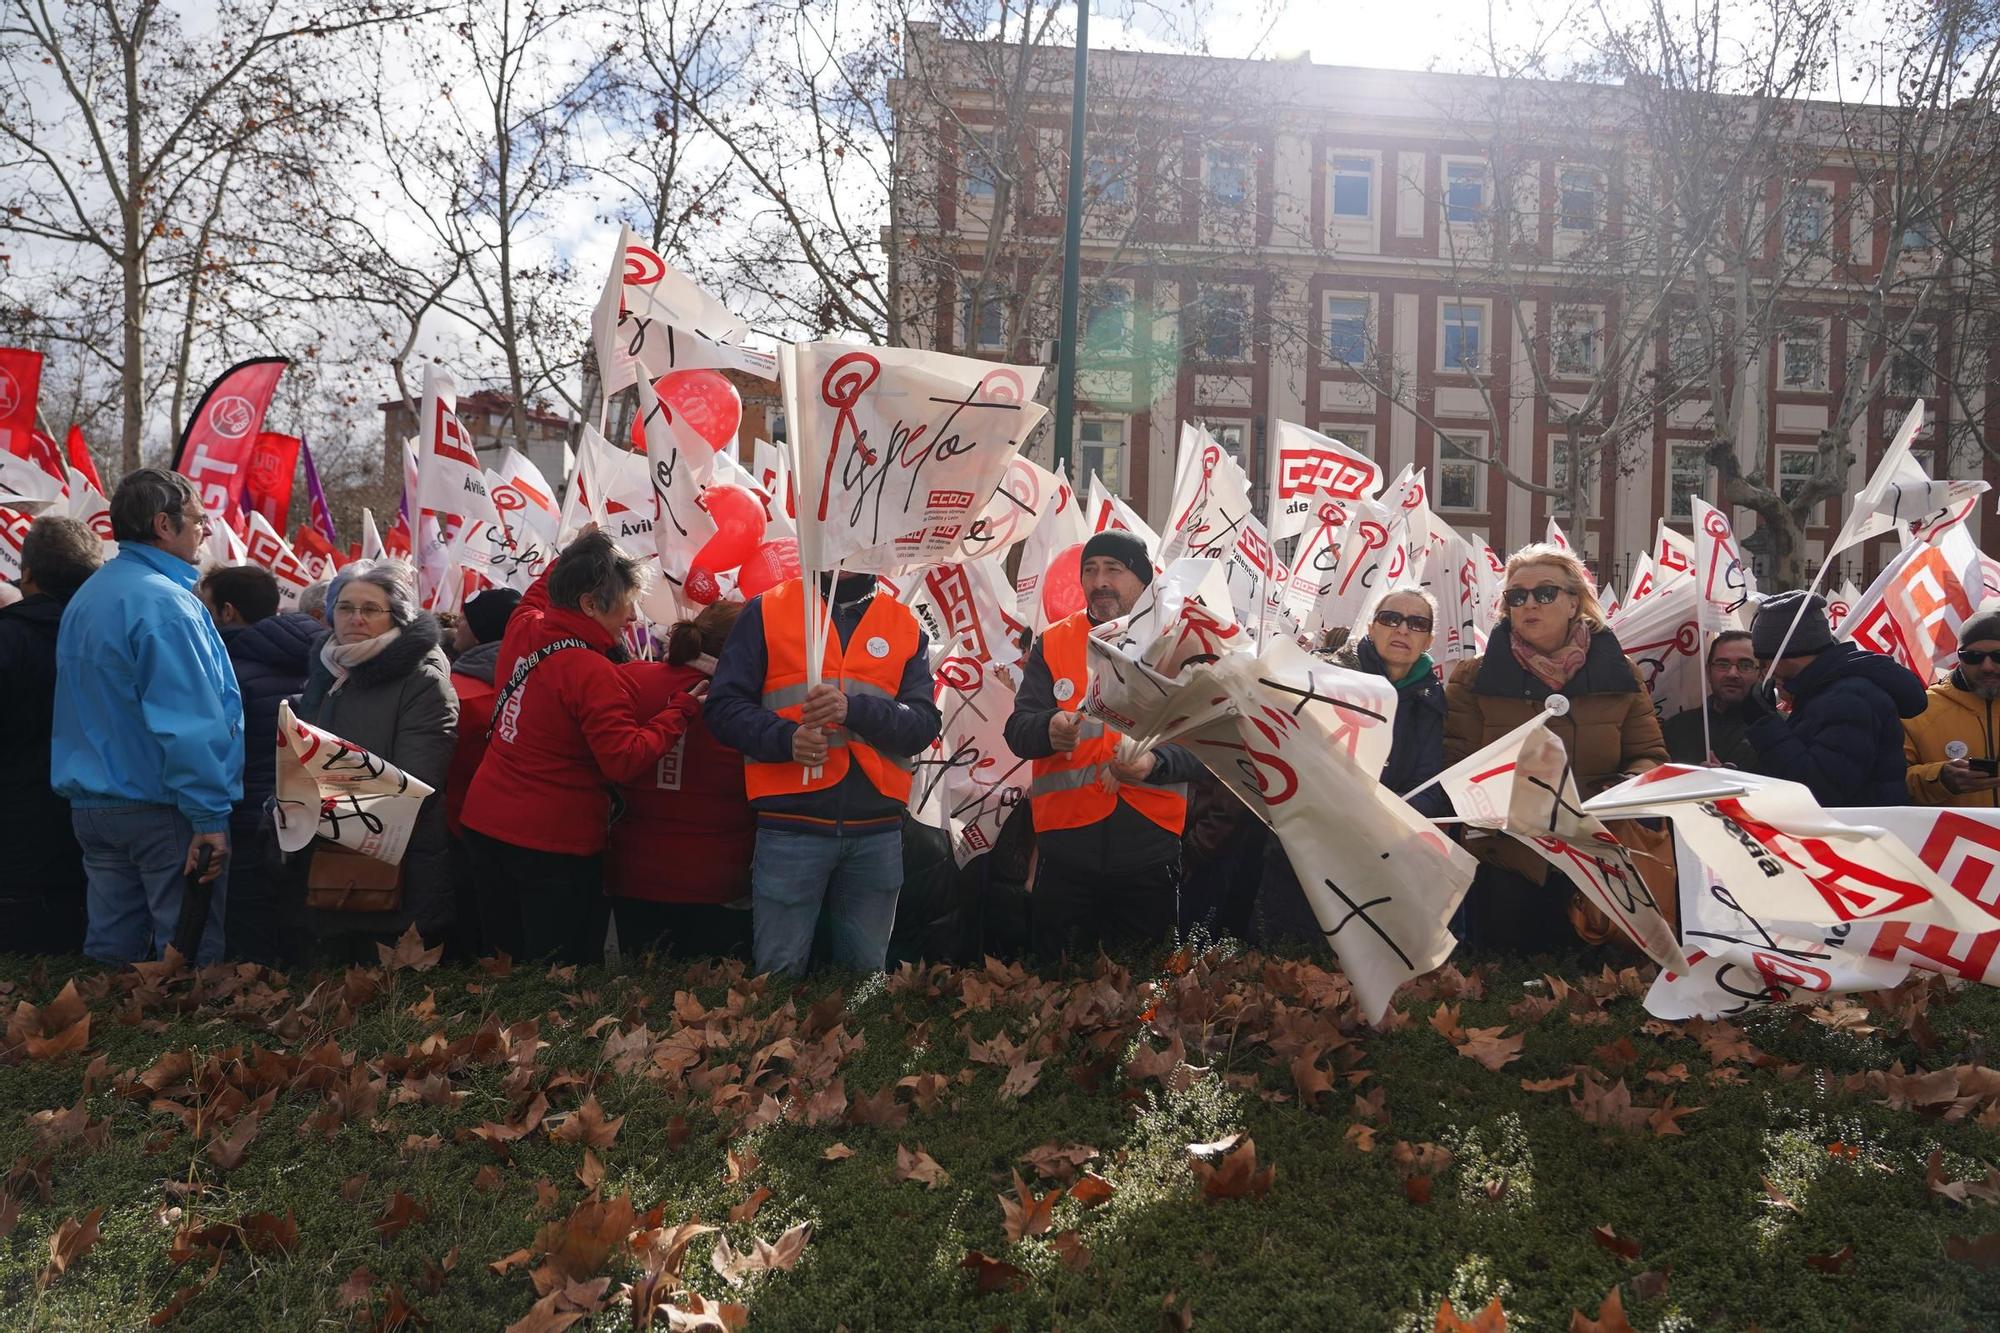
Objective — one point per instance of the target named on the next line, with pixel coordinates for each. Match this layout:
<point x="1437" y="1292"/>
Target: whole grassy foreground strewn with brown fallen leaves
<point x="1203" y="1142"/>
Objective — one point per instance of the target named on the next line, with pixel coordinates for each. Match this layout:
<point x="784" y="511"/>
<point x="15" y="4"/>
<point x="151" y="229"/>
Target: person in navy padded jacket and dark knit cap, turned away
<point x="1845" y="734"/>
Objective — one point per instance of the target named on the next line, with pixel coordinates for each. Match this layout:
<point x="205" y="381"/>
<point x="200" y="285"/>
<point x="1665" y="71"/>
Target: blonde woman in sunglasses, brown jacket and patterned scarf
<point x="1551" y="641"/>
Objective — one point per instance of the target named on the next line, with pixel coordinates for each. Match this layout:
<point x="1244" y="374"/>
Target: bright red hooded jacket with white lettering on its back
<point x="569" y="734"/>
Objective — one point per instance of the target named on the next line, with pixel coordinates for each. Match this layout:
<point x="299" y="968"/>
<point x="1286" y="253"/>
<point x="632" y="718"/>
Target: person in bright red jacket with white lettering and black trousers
<point x="565" y="732"/>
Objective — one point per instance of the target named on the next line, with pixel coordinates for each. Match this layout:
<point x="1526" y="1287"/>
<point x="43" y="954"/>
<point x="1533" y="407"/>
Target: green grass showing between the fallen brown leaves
<point x="1337" y="1244"/>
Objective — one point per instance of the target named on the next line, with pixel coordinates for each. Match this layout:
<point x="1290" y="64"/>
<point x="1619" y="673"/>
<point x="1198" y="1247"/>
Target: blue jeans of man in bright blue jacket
<point x="133" y="860"/>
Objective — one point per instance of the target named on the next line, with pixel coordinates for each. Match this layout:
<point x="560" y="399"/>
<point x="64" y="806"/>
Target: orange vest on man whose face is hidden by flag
<point x="873" y="663"/>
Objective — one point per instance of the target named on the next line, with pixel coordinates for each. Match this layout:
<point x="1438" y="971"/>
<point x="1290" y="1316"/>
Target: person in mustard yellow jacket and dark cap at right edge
<point x="1959" y="726"/>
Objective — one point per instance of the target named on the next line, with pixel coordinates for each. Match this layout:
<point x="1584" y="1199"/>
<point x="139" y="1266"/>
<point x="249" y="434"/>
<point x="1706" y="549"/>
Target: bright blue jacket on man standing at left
<point x="147" y="706"/>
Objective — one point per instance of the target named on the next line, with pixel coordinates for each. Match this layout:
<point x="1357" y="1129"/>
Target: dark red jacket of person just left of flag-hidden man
<point x="687" y="832"/>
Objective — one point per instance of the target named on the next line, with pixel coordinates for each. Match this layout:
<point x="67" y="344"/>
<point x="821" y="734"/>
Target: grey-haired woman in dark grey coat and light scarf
<point x="381" y="680"/>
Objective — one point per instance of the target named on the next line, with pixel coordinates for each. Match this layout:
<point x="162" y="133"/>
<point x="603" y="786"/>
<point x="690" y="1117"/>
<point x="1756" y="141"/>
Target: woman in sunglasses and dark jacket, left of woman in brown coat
<point x="1393" y="641"/>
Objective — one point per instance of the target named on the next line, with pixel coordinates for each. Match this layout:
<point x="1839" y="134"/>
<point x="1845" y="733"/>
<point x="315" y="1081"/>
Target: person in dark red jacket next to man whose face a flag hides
<point x="679" y="862"/>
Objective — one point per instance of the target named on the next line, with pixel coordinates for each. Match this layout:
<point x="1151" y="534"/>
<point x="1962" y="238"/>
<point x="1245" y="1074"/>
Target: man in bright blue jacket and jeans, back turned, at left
<point x="149" y="740"/>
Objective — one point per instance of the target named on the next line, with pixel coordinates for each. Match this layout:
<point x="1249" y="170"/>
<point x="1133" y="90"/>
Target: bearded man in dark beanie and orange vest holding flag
<point x="1107" y="828"/>
